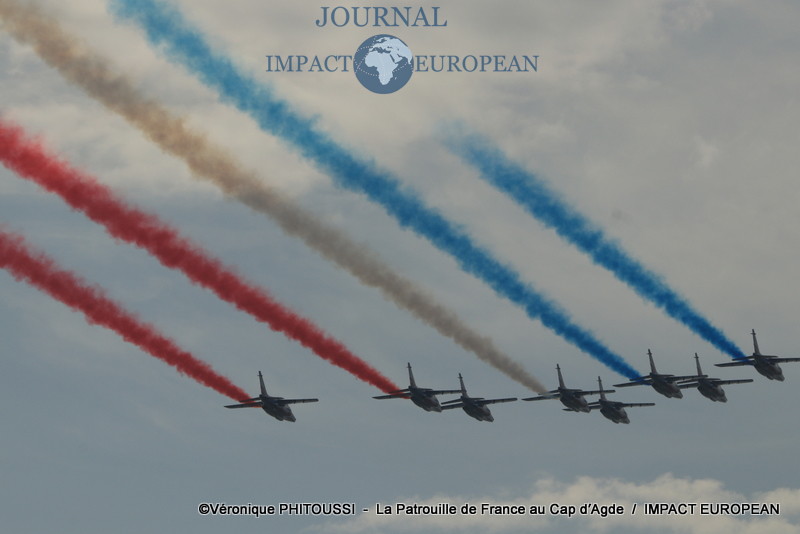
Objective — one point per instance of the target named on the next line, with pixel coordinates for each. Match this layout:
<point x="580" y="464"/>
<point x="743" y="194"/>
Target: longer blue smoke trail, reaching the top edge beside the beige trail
<point x="184" y="44"/>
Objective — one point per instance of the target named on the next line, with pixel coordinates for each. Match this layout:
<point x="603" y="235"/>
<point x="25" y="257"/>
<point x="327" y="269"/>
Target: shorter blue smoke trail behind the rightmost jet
<point x="539" y="200"/>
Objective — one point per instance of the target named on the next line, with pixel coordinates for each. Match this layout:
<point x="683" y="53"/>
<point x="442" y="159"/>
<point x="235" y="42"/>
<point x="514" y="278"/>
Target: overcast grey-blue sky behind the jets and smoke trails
<point x="673" y="125"/>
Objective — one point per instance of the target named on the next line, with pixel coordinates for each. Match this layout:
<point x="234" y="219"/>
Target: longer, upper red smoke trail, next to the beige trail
<point x="84" y="193"/>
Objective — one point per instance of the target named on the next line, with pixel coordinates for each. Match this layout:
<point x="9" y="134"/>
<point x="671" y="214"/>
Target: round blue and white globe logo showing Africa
<point x="383" y="64"/>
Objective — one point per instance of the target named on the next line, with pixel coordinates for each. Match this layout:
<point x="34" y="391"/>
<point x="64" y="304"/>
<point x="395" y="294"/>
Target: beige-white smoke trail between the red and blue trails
<point x="94" y="75"/>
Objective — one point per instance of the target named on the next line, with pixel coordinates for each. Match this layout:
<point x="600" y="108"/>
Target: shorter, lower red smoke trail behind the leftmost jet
<point x="40" y="271"/>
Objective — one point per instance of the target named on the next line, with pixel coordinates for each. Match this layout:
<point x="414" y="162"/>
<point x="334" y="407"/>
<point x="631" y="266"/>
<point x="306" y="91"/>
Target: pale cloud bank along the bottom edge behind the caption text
<point x="603" y="492"/>
